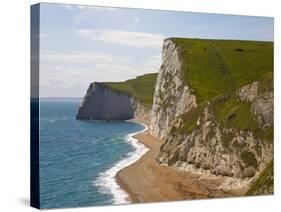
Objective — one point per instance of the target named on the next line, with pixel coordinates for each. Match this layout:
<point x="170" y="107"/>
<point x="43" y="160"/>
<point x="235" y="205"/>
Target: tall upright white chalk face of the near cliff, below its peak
<point x="172" y="97"/>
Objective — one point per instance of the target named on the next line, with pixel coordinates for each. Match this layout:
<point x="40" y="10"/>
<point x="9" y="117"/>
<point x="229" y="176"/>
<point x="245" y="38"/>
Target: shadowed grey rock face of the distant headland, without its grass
<point x="104" y="103"/>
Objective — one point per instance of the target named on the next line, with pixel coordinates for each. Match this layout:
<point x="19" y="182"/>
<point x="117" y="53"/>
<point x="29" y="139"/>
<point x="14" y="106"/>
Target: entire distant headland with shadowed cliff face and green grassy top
<point x="131" y="99"/>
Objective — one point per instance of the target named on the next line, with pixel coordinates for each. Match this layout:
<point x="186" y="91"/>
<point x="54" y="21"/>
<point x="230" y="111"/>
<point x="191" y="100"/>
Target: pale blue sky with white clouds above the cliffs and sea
<point x="82" y="44"/>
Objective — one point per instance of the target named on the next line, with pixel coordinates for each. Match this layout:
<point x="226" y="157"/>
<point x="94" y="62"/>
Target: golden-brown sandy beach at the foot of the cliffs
<point x="147" y="181"/>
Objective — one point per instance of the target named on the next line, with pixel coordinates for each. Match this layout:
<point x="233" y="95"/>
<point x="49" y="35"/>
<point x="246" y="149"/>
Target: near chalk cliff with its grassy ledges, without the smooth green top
<point x="230" y="134"/>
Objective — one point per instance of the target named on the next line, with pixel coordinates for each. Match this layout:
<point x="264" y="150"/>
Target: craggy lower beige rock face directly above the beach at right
<point x="224" y="151"/>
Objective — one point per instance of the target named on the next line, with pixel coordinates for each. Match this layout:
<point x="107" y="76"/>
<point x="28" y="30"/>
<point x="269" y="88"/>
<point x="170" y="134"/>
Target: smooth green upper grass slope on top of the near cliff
<point x="213" y="67"/>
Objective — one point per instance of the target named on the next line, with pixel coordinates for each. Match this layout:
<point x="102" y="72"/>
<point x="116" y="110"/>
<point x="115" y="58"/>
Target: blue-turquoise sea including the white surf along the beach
<point x="79" y="159"/>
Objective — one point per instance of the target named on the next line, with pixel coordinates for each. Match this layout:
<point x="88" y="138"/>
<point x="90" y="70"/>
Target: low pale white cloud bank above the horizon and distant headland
<point x="69" y="74"/>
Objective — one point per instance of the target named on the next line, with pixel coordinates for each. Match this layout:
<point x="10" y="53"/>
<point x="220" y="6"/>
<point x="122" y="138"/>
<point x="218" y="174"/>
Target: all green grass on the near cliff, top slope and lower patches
<point x="215" y="69"/>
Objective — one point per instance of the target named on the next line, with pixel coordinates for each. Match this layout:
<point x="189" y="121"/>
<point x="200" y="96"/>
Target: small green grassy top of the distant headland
<point x="142" y="88"/>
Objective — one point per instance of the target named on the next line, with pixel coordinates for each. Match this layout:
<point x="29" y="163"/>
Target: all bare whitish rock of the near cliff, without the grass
<point x="210" y="146"/>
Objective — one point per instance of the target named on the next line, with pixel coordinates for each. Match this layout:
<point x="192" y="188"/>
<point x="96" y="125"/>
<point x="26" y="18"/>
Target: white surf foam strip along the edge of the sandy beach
<point x="106" y="180"/>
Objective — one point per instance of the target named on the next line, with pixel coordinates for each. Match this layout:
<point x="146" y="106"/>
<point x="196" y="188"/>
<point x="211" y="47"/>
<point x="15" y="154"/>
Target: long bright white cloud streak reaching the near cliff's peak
<point x="128" y="38"/>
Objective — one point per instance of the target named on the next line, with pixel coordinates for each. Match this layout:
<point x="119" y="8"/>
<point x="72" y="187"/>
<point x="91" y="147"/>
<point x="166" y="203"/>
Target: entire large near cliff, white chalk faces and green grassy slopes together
<point x="213" y="106"/>
